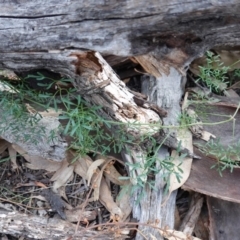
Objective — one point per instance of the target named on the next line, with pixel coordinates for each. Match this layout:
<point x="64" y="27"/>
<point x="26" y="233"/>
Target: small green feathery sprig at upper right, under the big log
<point x="213" y="75"/>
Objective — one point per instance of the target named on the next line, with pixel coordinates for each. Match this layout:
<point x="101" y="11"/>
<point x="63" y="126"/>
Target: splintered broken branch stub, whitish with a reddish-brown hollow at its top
<point x="99" y="84"/>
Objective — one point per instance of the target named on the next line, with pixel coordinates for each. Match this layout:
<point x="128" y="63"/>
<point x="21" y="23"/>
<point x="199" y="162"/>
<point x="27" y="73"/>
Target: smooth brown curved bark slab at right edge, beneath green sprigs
<point x="202" y="172"/>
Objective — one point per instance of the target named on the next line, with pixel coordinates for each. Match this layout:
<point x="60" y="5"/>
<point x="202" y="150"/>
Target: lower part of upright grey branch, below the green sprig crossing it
<point x="149" y="209"/>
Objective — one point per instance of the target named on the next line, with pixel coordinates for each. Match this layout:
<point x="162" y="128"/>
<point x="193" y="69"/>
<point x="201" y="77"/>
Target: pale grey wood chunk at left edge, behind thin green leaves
<point x="35" y="140"/>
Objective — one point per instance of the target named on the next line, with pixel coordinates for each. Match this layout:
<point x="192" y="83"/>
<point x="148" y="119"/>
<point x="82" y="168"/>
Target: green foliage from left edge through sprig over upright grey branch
<point x="79" y="122"/>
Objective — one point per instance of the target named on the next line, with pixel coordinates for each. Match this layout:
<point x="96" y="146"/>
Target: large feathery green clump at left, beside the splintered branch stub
<point x="80" y="122"/>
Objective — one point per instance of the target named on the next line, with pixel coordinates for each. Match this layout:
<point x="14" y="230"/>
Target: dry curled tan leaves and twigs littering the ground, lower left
<point x="65" y="178"/>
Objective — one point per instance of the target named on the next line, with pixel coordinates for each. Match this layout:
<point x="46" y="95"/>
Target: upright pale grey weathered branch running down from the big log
<point x="166" y="91"/>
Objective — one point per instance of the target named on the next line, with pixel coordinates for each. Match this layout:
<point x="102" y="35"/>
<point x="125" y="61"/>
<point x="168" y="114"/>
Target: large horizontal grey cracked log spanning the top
<point x="120" y="28"/>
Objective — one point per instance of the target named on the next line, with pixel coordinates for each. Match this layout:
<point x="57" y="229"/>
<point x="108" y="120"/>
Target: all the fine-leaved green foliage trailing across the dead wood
<point x="86" y="128"/>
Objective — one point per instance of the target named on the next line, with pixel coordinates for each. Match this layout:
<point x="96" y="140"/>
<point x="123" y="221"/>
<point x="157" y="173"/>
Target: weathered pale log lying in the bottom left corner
<point x="36" y="227"/>
